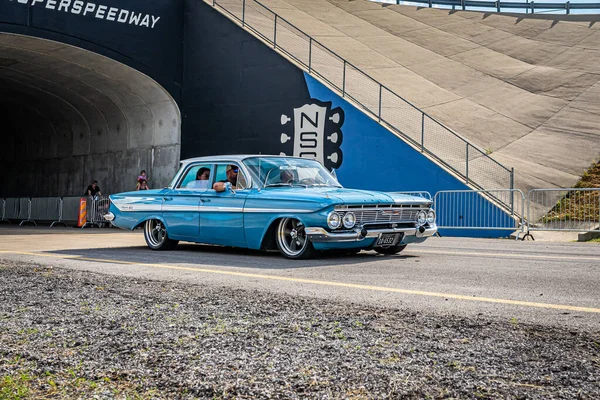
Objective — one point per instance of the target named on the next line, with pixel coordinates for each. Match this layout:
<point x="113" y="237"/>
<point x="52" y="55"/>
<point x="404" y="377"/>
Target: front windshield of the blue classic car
<point x="284" y="171"/>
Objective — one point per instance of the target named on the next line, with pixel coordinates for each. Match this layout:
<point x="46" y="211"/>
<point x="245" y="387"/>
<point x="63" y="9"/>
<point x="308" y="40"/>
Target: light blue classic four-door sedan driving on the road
<point x="270" y="202"/>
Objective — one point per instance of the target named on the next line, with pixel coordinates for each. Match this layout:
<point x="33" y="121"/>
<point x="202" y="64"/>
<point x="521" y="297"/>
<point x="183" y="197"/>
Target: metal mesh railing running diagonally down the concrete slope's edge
<point x="398" y="115"/>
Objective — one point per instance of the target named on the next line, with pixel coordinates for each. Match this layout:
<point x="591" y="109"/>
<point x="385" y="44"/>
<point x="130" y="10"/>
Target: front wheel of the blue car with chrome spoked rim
<point x="292" y="241"/>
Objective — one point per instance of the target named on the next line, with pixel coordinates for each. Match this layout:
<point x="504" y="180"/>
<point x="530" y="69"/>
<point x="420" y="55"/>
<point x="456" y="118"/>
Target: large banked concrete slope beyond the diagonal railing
<point x="525" y="89"/>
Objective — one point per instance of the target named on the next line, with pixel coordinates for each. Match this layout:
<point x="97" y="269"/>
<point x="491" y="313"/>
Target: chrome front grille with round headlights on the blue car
<point x="384" y="213"/>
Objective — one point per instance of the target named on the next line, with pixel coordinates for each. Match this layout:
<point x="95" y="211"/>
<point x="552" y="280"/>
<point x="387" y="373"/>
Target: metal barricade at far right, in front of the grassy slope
<point x="564" y="209"/>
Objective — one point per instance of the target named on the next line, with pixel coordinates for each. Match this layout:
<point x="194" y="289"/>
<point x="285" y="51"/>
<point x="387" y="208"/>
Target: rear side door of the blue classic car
<point x="181" y="207"/>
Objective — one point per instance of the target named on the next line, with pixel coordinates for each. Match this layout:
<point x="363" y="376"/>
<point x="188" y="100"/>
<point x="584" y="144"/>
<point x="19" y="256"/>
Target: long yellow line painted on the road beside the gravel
<point x="329" y="283"/>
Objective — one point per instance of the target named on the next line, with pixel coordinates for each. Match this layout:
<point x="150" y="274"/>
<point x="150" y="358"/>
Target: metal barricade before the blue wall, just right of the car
<point x="496" y="209"/>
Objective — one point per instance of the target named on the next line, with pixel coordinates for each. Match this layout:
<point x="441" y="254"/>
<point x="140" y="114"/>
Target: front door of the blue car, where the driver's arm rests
<point x="222" y="213"/>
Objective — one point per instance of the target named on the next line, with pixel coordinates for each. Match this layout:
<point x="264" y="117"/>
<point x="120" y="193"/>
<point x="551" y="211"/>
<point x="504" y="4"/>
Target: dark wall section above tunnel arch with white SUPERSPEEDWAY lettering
<point x="156" y="51"/>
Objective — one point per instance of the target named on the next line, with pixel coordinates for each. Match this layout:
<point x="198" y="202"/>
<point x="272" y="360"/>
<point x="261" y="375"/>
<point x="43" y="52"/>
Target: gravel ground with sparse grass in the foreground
<point x="67" y="334"/>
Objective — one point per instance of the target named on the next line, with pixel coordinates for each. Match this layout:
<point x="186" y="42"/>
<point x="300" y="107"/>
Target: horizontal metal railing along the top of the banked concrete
<point x="529" y="7"/>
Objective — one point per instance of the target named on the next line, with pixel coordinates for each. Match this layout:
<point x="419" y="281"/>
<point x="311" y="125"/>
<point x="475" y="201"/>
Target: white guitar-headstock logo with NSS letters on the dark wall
<point x="315" y="132"/>
